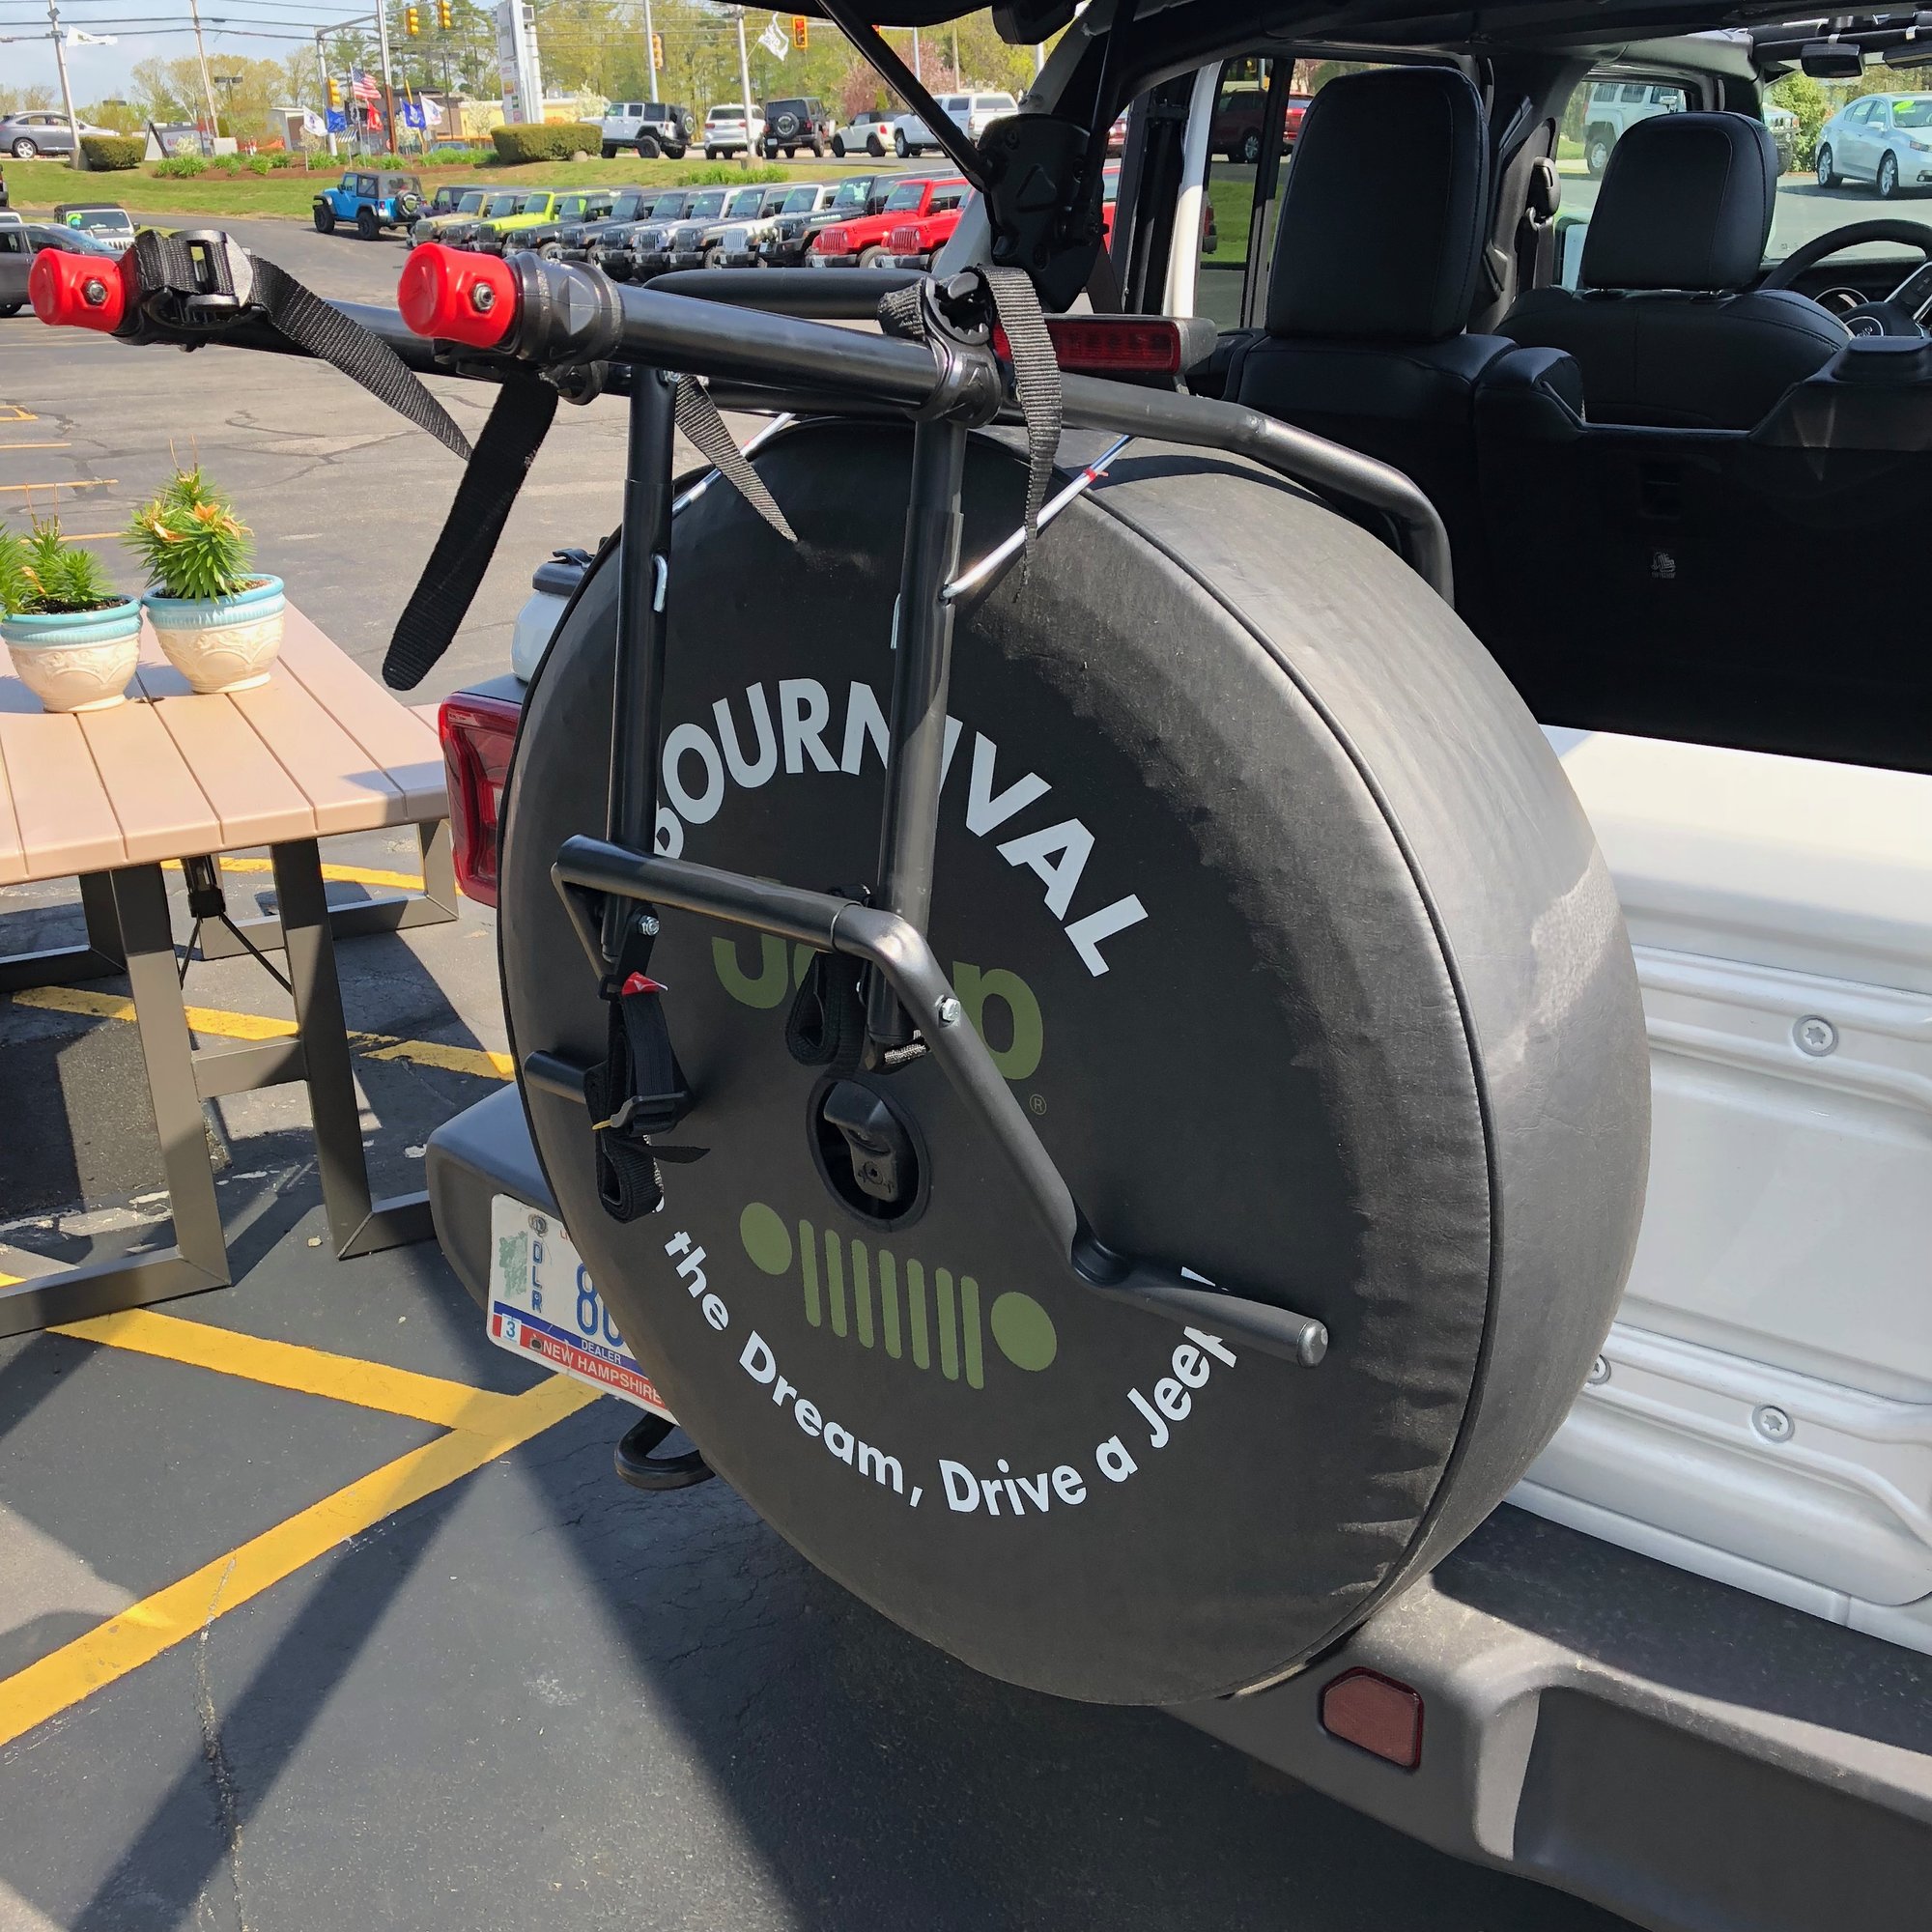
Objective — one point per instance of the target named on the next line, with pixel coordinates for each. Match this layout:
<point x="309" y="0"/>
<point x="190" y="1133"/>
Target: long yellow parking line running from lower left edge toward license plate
<point x="157" y="1624"/>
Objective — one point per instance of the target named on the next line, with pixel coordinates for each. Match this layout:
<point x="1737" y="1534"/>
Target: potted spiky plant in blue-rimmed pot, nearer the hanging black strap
<point x="219" y="623"/>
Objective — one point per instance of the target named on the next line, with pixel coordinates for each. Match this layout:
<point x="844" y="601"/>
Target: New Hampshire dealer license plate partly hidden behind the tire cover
<point x="542" y="1303"/>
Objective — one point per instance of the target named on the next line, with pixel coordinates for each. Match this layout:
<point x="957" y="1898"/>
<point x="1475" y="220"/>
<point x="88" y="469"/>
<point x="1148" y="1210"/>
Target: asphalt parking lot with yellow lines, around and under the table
<point x="316" y="1610"/>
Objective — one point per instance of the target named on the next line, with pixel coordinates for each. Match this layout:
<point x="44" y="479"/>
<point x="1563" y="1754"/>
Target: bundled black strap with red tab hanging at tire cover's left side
<point x="639" y="1091"/>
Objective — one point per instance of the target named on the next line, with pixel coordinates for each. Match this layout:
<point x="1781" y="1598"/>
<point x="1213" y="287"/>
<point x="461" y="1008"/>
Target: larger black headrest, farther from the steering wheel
<point x="1386" y="210"/>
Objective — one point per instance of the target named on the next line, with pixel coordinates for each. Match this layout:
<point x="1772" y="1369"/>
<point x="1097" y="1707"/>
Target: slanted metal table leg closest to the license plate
<point x="356" y="1224"/>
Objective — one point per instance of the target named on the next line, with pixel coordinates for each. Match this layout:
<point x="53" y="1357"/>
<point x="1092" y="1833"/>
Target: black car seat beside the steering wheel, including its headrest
<point x="1666" y="329"/>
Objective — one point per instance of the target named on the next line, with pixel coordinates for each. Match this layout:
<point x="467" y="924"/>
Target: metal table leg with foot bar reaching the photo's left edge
<point x="198" y="1261"/>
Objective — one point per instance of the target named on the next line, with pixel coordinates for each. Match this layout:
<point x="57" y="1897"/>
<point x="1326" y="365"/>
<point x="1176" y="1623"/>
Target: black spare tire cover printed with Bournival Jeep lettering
<point x="1280" y="917"/>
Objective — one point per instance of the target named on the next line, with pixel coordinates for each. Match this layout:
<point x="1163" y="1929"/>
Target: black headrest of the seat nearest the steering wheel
<point x="1686" y="204"/>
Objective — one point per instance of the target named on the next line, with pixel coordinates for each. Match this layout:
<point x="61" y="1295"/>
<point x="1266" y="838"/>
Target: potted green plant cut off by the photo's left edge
<point x="72" y="637"/>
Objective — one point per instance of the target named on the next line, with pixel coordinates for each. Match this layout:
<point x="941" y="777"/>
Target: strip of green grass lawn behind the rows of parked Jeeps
<point x="38" y="185"/>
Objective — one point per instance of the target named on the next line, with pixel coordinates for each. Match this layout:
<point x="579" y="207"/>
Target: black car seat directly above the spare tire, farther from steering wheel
<point x="1378" y="248"/>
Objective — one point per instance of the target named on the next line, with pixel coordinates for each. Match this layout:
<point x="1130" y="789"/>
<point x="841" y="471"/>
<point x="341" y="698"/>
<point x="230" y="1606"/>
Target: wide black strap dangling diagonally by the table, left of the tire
<point x="509" y="445"/>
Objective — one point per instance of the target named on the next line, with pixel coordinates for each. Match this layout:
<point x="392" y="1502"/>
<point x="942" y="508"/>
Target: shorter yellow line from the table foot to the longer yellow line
<point x="287" y="1365"/>
